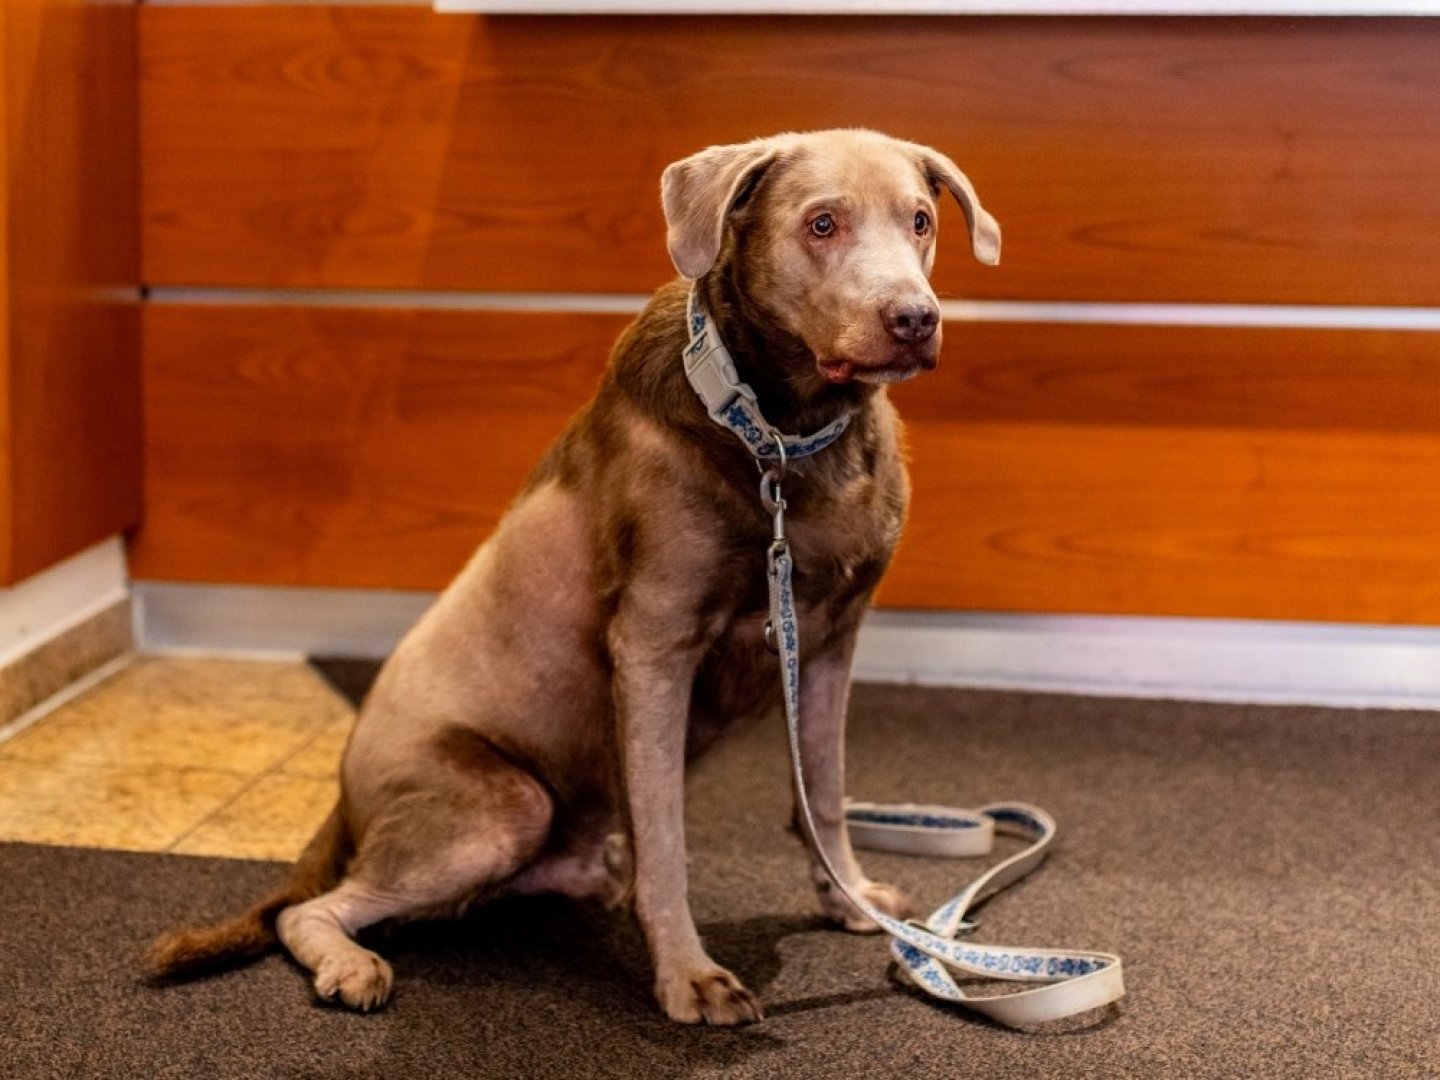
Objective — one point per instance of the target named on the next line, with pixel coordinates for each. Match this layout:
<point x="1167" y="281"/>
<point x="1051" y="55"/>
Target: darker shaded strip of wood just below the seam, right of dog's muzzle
<point x="1183" y="378"/>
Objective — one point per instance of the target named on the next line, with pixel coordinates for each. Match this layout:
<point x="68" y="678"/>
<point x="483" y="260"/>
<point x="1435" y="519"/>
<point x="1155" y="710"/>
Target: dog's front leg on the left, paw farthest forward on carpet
<point x="653" y="680"/>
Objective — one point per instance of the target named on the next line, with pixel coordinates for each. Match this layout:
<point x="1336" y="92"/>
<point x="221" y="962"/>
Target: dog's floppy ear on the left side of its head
<point x="701" y="192"/>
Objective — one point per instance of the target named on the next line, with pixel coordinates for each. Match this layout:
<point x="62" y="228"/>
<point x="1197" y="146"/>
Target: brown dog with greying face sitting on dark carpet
<point x="531" y="734"/>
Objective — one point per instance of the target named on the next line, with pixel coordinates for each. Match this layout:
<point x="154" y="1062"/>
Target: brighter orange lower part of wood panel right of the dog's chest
<point x="1269" y="525"/>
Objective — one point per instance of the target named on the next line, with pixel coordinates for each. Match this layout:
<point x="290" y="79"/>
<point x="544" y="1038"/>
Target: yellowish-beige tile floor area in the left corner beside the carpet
<point x="191" y="757"/>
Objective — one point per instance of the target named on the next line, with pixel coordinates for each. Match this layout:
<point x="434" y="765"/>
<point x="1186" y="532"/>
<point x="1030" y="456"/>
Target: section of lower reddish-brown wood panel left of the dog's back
<point x="346" y="449"/>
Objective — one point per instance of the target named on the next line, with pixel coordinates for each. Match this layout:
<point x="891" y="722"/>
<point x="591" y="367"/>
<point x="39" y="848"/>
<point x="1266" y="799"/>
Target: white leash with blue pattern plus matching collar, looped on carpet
<point x="931" y="954"/>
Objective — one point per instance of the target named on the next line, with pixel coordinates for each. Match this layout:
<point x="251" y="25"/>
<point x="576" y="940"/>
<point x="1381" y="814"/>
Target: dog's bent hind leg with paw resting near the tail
<point x="427" y="852"/>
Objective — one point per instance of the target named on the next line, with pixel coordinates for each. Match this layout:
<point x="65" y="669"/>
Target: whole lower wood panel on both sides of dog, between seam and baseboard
<point x="1137" y="470"/>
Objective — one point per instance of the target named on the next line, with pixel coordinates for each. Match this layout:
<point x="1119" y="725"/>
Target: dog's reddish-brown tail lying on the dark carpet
<point x="244" y="938"/>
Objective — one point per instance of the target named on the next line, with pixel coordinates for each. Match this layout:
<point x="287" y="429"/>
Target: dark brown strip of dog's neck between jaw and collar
<point x="775" y="364"/>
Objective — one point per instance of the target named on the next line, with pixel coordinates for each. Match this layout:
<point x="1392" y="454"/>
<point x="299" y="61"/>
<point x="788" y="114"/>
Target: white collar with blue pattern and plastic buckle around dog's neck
<point x="734" y="405"/>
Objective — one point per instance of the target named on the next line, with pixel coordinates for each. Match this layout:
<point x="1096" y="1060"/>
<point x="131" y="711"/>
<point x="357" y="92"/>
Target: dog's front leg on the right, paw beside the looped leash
<point x="824" y="705"/>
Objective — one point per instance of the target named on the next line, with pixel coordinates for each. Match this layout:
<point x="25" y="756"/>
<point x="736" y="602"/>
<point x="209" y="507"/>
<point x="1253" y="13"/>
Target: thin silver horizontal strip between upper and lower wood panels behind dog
<point x="1259" y="316"/>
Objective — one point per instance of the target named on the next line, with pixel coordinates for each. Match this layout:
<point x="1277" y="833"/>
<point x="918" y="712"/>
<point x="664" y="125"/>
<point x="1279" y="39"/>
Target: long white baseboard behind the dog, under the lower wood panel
<point x="1207" y="660"/>
